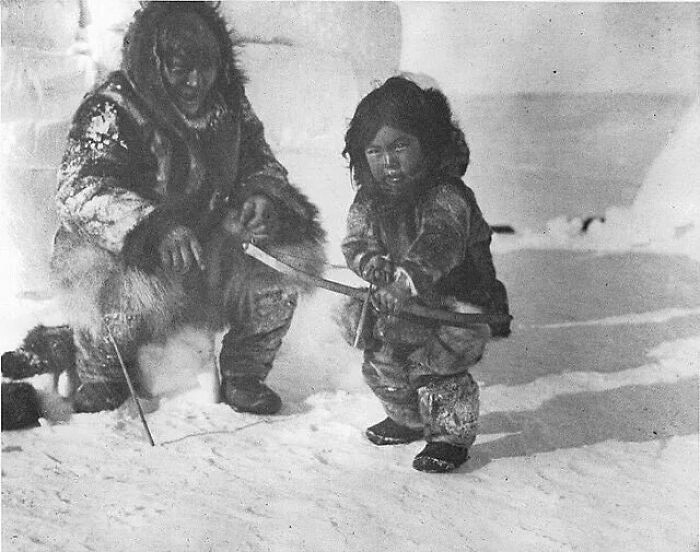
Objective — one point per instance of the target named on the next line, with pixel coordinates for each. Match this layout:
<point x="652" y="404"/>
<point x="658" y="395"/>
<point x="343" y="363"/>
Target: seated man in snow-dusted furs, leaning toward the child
<point x="166" y="172"/>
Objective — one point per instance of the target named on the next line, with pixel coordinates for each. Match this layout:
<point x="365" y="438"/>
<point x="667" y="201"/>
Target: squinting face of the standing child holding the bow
<point x="396" y="161"/>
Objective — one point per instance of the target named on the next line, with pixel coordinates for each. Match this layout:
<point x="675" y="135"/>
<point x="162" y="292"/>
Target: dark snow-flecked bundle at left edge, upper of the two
<point x="45" y="350"/>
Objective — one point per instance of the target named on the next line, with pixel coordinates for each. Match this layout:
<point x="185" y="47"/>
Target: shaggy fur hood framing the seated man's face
<point x="141" y="64"/>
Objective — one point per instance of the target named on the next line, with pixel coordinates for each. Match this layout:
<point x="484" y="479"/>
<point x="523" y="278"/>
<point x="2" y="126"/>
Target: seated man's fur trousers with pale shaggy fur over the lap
<point x="132" y="308"/>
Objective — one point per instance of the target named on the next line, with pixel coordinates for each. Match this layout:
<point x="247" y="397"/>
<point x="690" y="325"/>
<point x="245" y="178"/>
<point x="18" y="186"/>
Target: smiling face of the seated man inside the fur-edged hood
<point x="189" y="81"/>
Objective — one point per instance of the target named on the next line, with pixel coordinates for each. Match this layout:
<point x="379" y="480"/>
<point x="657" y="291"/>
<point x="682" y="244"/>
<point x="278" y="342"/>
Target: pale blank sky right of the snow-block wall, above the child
<point x="518" y="46"/>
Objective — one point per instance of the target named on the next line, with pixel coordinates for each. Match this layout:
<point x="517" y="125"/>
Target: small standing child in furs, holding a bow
<point x="416" y="233"/>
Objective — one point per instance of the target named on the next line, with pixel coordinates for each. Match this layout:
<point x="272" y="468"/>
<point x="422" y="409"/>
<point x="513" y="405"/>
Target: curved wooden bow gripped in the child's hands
<point x="448" y="318"/>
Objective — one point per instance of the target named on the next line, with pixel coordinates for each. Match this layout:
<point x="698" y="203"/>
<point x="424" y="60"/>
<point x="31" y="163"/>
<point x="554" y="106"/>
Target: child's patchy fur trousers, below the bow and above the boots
<point x="420" y="373"/>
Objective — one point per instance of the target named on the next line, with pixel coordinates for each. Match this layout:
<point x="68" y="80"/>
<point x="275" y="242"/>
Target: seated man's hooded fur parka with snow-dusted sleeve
<point x="134" y="168"/>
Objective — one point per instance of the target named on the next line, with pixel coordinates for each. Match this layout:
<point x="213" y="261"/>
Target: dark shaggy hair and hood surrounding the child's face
<point x="402" y="104"/>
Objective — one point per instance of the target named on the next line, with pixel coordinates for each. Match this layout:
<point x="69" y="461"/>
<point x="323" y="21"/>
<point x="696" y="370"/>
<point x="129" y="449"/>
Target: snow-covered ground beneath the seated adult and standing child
<point x="588" y="438"/>
